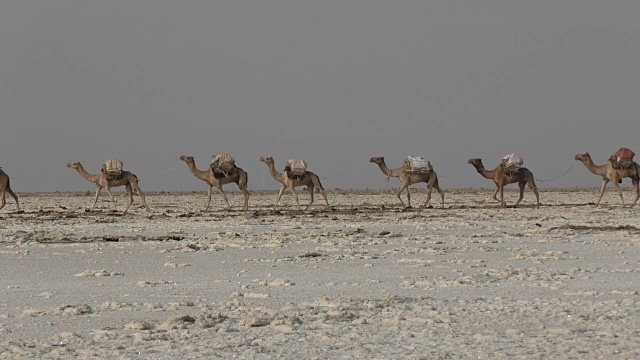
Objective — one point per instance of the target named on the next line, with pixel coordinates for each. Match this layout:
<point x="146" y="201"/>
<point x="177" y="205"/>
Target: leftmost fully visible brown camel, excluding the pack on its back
<point x="102" y="180"/>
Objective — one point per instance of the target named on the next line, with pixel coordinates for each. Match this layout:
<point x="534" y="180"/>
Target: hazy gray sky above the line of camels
<point x="332" y="81"/>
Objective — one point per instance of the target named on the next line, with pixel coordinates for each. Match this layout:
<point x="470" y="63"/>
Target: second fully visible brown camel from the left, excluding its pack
<point x="238" y="176"/>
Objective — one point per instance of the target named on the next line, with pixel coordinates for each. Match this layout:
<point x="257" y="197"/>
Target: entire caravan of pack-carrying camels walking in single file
<point x="223" y="170"/>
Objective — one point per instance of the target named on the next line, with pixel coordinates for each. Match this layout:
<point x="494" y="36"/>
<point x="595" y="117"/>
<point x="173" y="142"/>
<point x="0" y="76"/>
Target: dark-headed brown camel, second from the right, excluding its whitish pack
<point x="502" y="178"/>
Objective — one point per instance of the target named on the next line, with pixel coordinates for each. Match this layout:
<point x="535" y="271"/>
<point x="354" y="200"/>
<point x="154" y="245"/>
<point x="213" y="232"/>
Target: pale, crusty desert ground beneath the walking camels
<point x="362" y="280"/>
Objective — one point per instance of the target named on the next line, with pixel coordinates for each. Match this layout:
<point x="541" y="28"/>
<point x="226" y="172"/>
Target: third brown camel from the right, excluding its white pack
<point x="408" y="178"/>
